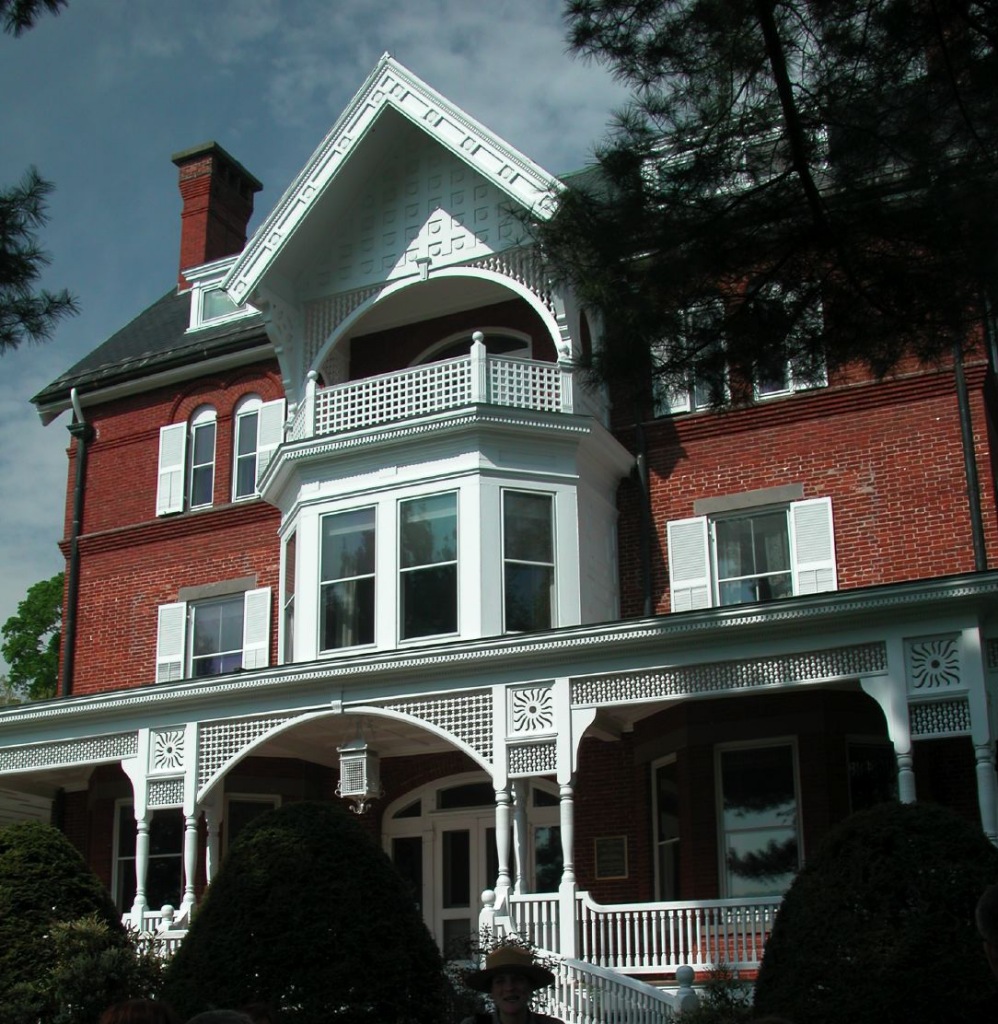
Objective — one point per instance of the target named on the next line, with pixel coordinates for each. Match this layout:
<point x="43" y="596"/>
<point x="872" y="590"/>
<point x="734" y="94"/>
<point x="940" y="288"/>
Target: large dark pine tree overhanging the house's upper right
<point x="825" y="168"/>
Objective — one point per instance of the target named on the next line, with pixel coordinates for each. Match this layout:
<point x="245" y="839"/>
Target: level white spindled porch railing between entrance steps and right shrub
<point x="652" y="938"/>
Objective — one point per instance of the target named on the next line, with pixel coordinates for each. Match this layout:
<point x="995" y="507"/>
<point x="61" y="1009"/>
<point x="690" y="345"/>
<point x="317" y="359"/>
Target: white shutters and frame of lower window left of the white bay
<point x="175" y="631"/>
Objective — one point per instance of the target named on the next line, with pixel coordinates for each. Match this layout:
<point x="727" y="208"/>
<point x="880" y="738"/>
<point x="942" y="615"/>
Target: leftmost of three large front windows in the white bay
<point x="348" y="580"/>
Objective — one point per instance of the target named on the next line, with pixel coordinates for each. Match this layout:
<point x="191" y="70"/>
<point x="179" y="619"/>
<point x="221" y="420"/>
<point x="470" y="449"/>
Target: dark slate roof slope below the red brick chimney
<point x="156" y="340"/>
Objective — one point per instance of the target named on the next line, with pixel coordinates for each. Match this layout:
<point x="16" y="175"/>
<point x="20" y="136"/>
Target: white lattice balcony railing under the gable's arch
<point x="437" y="388"/>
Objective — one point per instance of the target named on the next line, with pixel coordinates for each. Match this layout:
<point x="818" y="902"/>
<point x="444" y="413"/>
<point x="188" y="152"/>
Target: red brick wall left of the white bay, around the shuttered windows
<point x="132" y="561"/>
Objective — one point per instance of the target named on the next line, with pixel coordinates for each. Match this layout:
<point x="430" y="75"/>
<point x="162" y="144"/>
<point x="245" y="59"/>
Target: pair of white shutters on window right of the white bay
<point x="692" y="572"/>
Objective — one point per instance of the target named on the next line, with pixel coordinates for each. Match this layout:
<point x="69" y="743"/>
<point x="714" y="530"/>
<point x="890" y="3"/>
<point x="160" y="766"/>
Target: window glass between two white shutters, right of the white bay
<point x="754" y="558"/>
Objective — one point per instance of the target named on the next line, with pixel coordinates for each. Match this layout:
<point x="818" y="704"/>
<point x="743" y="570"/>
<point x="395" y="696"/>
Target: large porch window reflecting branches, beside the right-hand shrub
<point x="759" y="820"/>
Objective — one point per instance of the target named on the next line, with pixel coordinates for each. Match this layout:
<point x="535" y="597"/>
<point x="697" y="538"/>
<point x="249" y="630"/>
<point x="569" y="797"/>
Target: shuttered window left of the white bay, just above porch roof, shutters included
<point x="214" y="636"/>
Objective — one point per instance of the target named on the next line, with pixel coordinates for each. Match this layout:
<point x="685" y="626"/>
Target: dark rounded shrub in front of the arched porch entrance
<point x="309" y="916"/>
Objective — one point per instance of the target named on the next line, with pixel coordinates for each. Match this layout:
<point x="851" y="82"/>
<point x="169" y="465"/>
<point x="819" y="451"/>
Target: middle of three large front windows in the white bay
<point x="428" y="566"/>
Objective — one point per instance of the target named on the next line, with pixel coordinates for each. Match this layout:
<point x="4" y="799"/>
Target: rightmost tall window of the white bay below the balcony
<point x="529" y="561"/>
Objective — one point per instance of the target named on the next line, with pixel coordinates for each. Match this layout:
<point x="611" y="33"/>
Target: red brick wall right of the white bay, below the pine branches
<point x="889" y="456"/>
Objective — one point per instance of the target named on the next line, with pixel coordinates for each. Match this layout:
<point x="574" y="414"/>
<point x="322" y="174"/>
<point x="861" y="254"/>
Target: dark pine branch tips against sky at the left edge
<point x="27" y="313"/>
